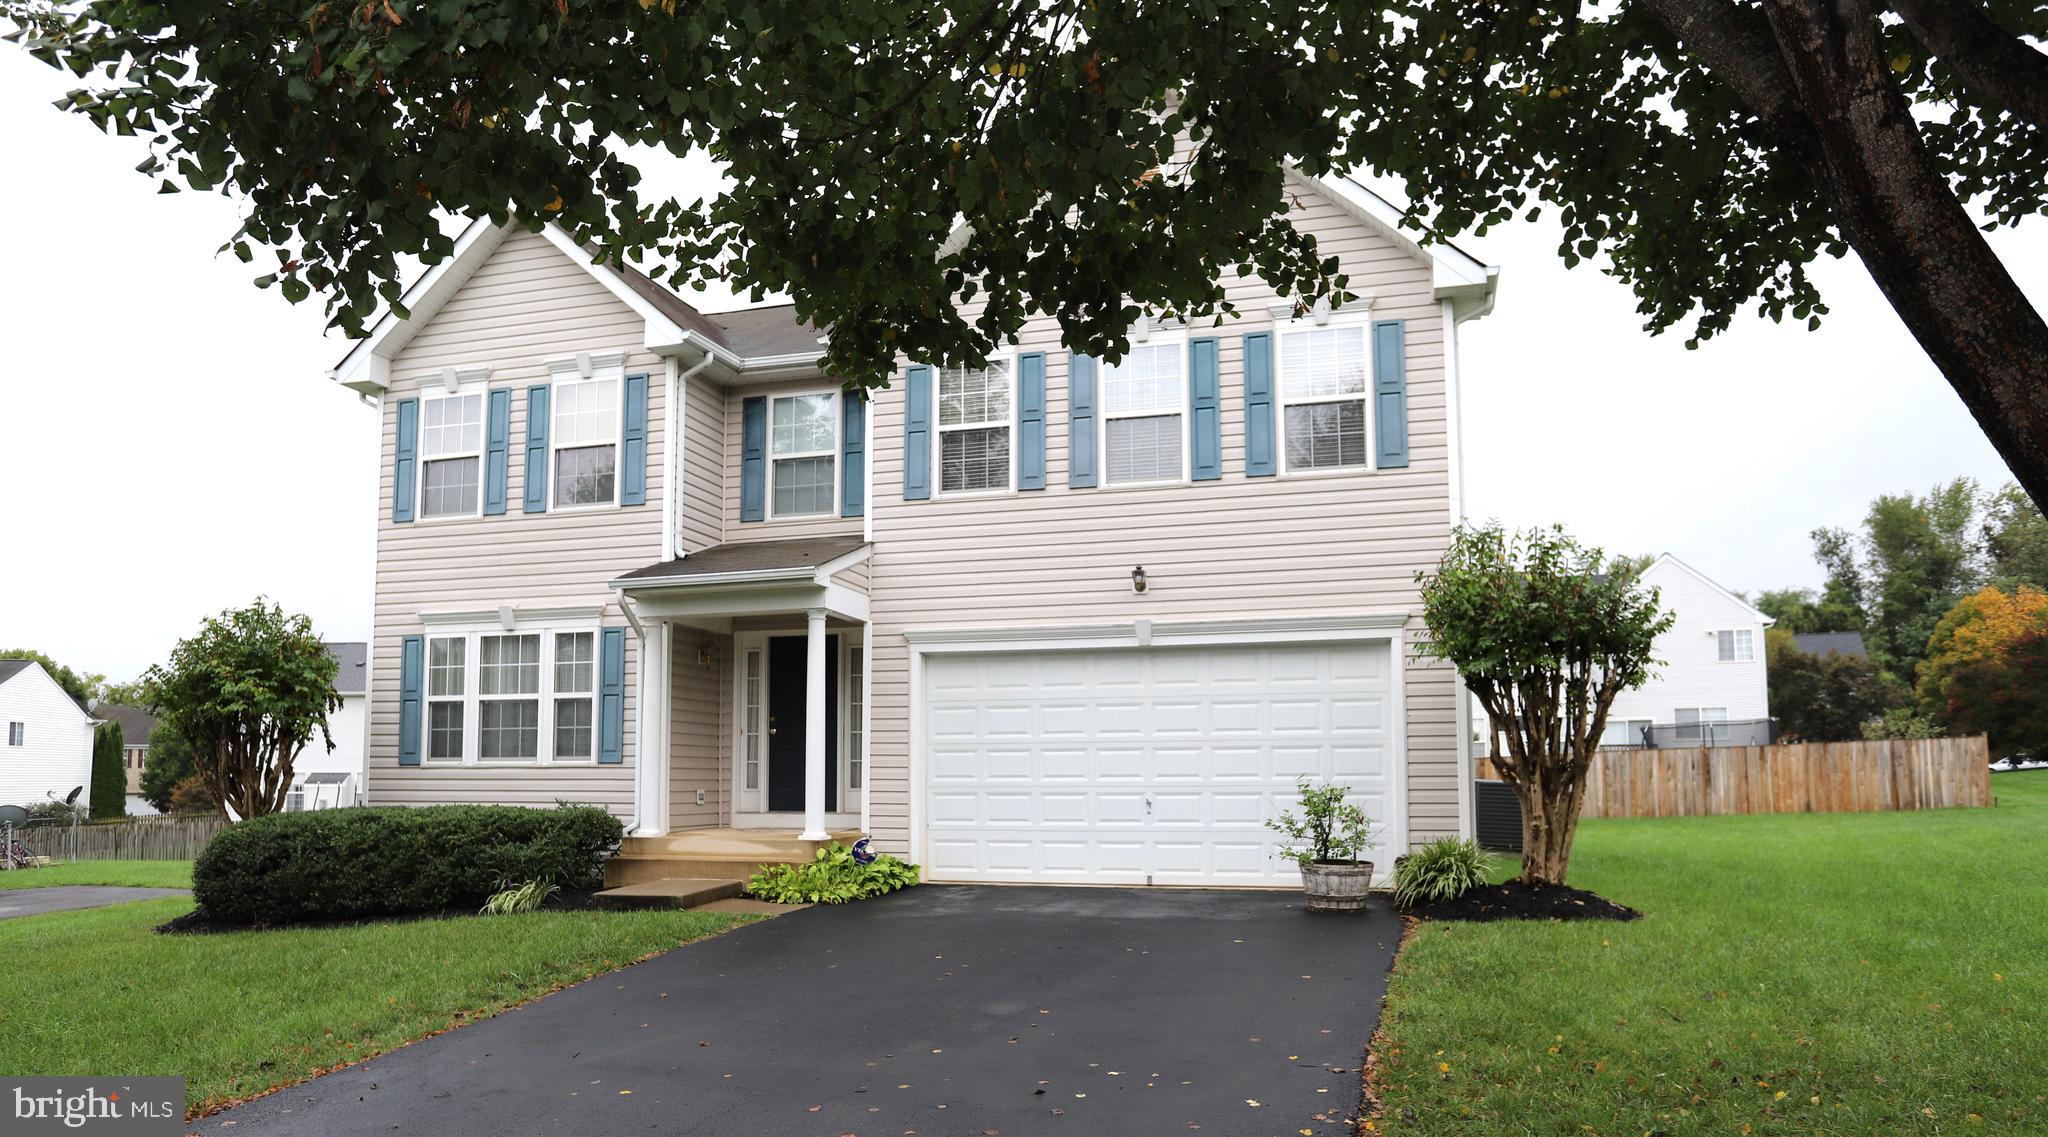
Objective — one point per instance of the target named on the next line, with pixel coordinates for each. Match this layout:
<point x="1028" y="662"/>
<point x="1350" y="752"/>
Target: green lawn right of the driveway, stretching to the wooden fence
<point x="1793" y="974"/>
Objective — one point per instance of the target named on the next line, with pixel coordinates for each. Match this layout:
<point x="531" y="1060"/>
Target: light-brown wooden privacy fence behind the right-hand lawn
<point x="1809" y="777"/>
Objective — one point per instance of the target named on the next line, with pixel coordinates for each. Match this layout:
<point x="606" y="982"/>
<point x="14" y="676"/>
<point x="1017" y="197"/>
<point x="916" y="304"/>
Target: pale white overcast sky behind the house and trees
<point x="171" y="444"/>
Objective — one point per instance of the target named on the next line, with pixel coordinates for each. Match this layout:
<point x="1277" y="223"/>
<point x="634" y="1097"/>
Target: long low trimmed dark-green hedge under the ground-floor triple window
<point x="394" y="861"/>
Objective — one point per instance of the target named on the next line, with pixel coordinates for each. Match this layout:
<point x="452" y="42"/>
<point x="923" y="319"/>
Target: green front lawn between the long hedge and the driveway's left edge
<point x="243" y="1013"/>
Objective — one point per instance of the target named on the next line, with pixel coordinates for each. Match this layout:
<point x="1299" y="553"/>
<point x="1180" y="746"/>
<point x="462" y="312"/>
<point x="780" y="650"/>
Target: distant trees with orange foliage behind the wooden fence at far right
<point x="1951" y="595"/>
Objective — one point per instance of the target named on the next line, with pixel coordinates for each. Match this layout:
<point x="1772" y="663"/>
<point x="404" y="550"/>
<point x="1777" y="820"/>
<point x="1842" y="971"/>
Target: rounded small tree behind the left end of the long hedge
<point x="249" y="693"/>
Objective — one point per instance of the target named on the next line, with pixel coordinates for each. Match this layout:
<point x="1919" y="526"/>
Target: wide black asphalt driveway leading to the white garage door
<point x="941" y="1011"/>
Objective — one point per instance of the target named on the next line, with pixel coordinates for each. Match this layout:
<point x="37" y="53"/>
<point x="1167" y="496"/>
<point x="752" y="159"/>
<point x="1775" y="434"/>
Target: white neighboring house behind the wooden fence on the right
<point x="1711" y="687"/>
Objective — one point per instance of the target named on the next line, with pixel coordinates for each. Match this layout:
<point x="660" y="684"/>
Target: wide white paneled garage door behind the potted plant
<point x="1148" y="765"/>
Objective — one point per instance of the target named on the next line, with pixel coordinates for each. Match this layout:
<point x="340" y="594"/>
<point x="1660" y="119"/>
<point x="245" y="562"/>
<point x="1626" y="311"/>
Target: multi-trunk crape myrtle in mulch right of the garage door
<point x="1545" y="632"/>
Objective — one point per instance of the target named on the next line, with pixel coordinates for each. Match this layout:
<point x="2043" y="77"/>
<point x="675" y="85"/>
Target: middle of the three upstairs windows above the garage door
<point x="1146" y="415"/>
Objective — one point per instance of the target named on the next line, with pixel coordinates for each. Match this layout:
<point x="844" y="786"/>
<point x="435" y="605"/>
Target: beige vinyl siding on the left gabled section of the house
<point x="525" y="306"/>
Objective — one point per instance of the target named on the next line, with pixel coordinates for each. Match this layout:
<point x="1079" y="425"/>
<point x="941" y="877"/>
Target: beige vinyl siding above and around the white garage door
<point x="1234" y="548"/>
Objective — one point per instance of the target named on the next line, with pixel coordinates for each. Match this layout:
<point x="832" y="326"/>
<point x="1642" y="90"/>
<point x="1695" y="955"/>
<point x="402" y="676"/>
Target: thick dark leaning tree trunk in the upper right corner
<point x="1912" y="233"/>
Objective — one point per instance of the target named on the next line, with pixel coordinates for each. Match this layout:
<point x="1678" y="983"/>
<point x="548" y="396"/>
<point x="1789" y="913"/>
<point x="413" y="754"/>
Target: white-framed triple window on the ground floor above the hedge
<point x="521" y="696"/>
